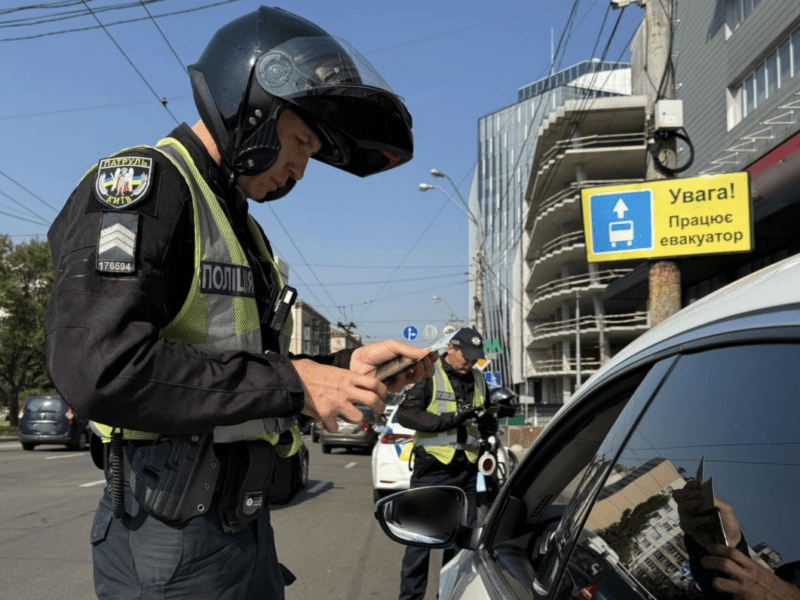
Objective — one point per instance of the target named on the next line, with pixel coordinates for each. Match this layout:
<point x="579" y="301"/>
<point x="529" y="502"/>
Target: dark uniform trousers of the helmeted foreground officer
<point x="140" y="557"/>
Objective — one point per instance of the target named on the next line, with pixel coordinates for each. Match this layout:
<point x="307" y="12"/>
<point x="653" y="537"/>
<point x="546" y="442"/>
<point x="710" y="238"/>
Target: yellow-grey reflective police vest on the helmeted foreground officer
<point x="217" y="322"/>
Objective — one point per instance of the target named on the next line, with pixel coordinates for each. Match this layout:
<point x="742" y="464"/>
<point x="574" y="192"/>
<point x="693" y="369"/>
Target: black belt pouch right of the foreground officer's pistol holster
<point x="249" y="468"/>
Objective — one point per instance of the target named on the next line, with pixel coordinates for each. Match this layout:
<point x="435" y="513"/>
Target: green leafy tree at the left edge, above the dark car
<point x="26" y="279"/>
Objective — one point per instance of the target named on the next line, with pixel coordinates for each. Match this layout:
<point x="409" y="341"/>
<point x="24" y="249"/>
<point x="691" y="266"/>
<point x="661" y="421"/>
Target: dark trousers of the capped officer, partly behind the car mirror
<point x="427" y="472"/>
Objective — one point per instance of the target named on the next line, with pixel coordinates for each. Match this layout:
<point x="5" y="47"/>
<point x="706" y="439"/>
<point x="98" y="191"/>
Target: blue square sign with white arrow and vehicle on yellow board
<point x="621" y="221"/>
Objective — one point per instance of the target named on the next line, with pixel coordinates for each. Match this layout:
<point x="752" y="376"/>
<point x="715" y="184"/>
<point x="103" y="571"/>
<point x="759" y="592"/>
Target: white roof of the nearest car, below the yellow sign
<point x="769" y="297"/>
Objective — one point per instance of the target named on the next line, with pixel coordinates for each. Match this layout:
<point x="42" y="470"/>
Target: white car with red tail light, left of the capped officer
<point x="390" y="456"/>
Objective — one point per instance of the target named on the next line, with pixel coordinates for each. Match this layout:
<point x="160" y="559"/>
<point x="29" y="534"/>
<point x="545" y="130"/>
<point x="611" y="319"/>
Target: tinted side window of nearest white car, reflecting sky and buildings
<point x="735" y="411"/>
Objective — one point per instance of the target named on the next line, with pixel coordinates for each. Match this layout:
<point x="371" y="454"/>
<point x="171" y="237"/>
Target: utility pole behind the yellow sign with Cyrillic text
<point x="652" y="76"/>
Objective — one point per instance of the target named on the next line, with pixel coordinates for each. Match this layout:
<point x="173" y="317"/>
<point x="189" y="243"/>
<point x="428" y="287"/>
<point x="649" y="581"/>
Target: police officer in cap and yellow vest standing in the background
<point x="443" y="412"/>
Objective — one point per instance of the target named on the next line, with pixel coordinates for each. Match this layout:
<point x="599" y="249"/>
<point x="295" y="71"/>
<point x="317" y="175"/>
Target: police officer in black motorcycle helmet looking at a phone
<point x="169" y="322"/>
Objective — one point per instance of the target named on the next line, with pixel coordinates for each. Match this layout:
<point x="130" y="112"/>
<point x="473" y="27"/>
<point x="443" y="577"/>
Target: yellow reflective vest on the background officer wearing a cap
<point x="443" y="445"/>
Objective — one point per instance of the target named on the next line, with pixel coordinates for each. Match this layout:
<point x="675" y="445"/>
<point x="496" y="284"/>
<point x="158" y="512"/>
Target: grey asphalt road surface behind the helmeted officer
<point x="327" y="536"/>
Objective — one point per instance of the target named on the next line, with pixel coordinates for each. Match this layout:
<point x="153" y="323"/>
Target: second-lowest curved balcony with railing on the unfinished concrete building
<point x="617" y="328"/>
